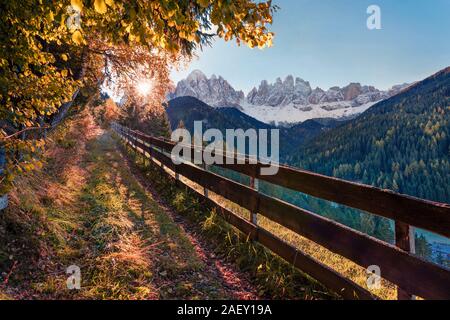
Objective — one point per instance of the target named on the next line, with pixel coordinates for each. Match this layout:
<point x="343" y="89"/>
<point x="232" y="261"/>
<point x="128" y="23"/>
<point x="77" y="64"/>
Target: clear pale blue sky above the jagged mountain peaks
<point x="328" y="43"/>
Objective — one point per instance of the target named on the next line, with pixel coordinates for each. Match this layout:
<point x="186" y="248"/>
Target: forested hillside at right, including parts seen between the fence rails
<point x="400" y="144"/>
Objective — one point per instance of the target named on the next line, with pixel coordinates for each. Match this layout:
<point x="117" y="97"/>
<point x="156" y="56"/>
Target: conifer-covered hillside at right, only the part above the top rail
<point x="401" y="143"/>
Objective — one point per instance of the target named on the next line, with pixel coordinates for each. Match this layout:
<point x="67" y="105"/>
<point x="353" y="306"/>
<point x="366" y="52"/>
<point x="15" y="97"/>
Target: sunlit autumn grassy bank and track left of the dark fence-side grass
<point x="85" y="208"/>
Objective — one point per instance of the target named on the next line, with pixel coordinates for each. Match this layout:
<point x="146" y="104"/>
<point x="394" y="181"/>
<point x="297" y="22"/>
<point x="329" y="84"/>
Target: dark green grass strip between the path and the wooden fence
<point x="274" y="277"/>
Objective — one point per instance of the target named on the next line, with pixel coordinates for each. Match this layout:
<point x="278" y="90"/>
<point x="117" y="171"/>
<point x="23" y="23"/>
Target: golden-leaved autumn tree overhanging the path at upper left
<point x="50" y="49"/>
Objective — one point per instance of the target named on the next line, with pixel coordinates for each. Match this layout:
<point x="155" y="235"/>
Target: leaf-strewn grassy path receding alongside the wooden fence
<point x="140" y="250"/>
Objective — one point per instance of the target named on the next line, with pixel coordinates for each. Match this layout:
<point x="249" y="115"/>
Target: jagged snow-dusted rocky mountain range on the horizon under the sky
<point x="284" y="101"/>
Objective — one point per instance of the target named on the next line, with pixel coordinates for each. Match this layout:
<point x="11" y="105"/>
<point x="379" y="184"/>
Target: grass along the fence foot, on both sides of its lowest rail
<point x="272" y="275"/>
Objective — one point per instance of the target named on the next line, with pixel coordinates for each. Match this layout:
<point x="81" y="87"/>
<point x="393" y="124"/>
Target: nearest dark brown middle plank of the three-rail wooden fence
<point x="413" y="274"/>
